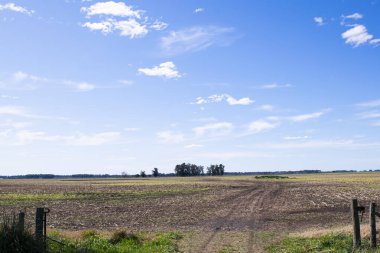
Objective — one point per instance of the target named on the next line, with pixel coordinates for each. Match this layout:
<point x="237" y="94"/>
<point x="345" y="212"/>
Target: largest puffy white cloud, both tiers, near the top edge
<point x="119" y="17"/>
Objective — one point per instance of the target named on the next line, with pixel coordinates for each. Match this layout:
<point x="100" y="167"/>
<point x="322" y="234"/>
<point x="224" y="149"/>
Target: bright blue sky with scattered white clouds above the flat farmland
<point x="90" y="86"/>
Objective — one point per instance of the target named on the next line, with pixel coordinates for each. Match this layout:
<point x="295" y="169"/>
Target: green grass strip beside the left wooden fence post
<point x="120" y="242"/>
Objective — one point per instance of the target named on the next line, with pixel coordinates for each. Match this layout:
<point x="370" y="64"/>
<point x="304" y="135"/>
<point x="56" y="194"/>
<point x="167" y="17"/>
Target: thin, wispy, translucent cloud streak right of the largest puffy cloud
<point x="195" y="39"/>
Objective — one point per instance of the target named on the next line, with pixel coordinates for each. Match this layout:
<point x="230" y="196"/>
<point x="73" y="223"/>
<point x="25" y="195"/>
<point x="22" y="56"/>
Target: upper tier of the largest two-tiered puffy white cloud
<point x="119" y="9"/>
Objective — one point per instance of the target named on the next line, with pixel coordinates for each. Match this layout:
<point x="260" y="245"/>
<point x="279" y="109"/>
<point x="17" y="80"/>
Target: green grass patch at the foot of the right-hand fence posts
<point x="334" y="242"/>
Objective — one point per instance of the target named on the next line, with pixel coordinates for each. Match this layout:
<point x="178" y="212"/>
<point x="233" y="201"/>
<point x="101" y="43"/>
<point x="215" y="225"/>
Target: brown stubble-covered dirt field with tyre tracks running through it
<point x="241" y="212"/>
